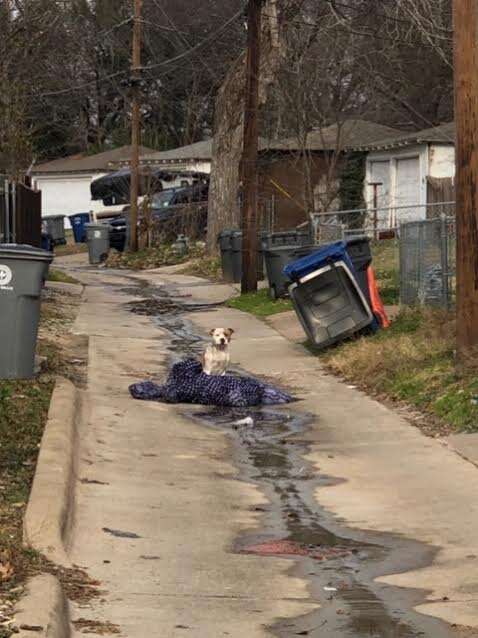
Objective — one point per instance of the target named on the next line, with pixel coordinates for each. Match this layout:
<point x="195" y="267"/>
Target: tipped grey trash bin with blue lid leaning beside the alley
<point x="327" y="297"/>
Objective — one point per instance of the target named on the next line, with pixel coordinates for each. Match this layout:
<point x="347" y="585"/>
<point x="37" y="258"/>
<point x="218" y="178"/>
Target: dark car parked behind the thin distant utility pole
<point x="171" y="212"/>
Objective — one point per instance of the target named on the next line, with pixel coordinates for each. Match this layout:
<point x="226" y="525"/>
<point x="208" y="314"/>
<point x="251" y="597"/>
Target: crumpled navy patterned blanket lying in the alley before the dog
<point x="187" y="383"/>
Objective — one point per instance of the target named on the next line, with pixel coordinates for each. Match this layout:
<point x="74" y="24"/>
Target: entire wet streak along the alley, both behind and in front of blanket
<point x="270" y="453"/>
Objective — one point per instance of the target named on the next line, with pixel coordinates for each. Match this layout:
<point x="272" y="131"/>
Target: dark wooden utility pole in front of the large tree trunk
<point x="248" y="168"/>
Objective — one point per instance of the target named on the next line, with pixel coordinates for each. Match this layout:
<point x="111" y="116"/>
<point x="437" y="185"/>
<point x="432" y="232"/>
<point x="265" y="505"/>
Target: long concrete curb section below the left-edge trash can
<point x="49" y="516"/>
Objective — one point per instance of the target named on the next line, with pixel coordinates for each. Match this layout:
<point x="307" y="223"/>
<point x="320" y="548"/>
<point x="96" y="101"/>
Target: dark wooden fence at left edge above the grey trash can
<point x="20" y="214"/>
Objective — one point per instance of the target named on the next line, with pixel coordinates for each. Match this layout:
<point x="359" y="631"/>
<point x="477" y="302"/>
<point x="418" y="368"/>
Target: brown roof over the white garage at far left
<point x="87" y="163"/>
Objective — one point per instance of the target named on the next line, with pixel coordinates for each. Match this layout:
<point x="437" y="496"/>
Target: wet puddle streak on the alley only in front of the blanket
<point x="270" y="454"/>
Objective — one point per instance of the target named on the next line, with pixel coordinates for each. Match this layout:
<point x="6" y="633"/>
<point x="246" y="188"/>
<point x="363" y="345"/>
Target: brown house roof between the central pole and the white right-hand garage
<point x="349" y="134"/>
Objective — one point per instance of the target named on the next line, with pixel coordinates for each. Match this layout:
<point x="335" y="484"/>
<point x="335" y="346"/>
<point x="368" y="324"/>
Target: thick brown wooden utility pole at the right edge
<point x="465" y="17"/>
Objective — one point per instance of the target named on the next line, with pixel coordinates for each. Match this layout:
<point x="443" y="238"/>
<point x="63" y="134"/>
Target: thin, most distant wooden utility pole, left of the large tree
<point x="135" y="123"/>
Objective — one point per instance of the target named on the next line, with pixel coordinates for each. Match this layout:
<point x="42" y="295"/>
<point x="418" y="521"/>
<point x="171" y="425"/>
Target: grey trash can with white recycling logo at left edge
<point x="22" y="272"/>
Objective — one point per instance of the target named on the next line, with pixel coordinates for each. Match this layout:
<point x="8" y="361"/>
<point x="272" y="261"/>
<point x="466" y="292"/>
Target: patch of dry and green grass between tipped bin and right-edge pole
<point x="412" y="365"/>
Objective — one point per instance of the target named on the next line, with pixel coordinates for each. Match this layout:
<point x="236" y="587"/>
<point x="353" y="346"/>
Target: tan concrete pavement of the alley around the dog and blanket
<point x="165" y="503"/>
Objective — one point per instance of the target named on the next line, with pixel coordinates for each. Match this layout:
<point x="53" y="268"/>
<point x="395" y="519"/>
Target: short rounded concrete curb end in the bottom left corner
<point x="44" y="610"/>
